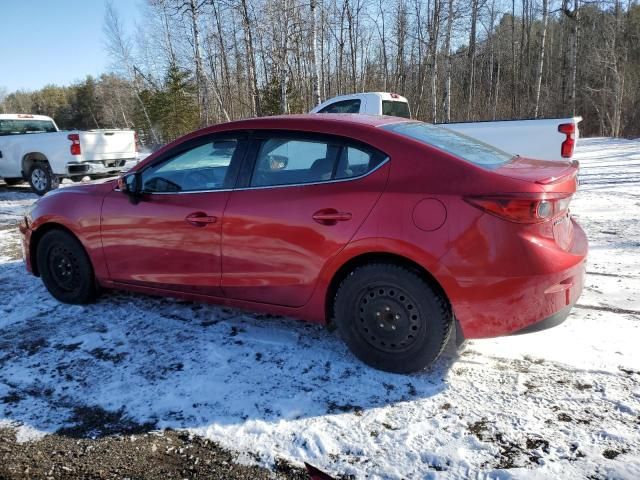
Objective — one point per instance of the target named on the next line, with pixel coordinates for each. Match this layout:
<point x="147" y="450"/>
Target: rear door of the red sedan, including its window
<point x="300" y="199"/>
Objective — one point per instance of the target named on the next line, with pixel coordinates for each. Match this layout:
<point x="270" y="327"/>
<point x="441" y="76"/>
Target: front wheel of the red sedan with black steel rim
<point x="65" y="268"/>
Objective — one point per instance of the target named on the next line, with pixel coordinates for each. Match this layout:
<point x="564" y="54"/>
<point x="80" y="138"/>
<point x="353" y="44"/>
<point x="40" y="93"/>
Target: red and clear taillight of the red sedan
<point x="523" y="208"/>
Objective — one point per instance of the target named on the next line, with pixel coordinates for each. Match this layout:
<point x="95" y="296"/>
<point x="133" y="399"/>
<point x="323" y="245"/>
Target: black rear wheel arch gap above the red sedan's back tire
<point x="377" y="257"/>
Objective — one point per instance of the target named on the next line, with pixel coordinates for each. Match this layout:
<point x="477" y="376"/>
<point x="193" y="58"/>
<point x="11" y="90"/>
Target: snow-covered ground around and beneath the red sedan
<point x="563" y="403"/>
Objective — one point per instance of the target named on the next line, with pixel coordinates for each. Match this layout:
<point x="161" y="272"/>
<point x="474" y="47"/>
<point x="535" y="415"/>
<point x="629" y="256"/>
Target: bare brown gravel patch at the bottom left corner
<point x="153" y="455"/>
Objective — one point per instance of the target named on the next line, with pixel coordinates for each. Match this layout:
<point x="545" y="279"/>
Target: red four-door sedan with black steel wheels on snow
<point x="394" y="231"/>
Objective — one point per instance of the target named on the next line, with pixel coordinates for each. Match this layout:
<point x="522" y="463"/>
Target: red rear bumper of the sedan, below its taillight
<point x="493" y="306"/>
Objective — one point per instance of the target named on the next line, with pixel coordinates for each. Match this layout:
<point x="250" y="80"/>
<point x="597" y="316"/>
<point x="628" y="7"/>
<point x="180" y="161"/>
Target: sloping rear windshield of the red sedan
<point x="462" y="146"/>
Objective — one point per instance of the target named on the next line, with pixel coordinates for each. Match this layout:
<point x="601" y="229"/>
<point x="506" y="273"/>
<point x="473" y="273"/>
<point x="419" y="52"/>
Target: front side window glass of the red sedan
<point x="204" y="167"/>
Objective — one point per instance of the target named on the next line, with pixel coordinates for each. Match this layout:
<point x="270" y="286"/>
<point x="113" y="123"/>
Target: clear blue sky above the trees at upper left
<point x="50" y="41"/>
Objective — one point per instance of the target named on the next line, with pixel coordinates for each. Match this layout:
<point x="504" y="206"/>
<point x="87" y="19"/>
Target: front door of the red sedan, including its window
<point x="170" y="237"/>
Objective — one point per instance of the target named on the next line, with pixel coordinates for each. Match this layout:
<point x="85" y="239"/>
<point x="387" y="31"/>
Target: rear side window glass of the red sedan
<point x="282" y="161"/>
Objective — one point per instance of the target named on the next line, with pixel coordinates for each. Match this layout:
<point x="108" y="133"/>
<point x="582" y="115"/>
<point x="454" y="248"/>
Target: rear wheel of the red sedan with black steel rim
<point x="391" y="318"/>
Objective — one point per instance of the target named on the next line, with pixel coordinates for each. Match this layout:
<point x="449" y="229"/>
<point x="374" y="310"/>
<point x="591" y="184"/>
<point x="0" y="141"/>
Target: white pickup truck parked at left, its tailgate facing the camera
<point x="33" y="149"/>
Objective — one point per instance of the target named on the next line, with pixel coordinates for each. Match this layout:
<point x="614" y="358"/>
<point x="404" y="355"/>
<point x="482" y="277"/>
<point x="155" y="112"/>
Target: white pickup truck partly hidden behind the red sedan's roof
<point x="544" y="139"/>
